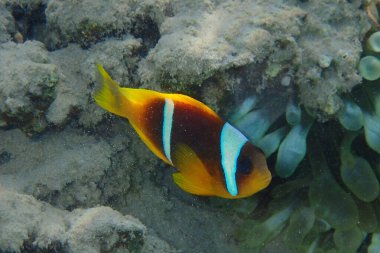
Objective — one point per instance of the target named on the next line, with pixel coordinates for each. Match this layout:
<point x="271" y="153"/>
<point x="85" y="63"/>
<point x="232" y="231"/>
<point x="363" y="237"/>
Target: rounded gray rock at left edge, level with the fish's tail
<point x="27" y="85"/>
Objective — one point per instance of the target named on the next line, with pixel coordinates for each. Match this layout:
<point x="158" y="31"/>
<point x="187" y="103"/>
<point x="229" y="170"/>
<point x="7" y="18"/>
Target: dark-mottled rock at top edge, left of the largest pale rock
<point x="86" y="22"/>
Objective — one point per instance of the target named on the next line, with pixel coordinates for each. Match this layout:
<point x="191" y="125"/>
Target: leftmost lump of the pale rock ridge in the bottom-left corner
<point x="24" y="217"/>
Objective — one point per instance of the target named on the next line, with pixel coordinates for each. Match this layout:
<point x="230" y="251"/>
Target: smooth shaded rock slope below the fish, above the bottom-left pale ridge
<point x="73" y="169"/>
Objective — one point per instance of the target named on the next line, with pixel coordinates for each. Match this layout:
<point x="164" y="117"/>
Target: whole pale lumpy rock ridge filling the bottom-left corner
<point x="28" y="225"/>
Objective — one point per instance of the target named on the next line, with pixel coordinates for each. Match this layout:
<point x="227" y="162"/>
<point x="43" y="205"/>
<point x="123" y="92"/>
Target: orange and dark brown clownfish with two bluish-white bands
<point x="212" y="157"/>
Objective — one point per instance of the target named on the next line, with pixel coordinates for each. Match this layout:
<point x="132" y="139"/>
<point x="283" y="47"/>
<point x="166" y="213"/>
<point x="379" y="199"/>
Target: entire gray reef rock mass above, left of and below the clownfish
<point x="209" y="49"/>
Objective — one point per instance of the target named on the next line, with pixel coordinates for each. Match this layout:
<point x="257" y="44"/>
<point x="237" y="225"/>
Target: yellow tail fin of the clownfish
<point x="108" y="94"/>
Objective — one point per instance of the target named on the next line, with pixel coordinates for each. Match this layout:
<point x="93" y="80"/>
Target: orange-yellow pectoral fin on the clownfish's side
<point x="192" y="176"/>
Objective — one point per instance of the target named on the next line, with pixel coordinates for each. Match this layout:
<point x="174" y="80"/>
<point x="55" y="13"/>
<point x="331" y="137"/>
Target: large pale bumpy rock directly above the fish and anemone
<point x="266" y="37"/>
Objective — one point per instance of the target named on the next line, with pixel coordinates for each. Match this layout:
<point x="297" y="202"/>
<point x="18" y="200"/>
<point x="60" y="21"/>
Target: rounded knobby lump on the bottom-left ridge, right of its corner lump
<point x="102" y="229"/>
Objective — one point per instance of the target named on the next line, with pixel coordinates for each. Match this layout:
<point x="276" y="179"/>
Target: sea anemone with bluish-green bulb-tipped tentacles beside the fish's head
<point x="330" y="200"/>
